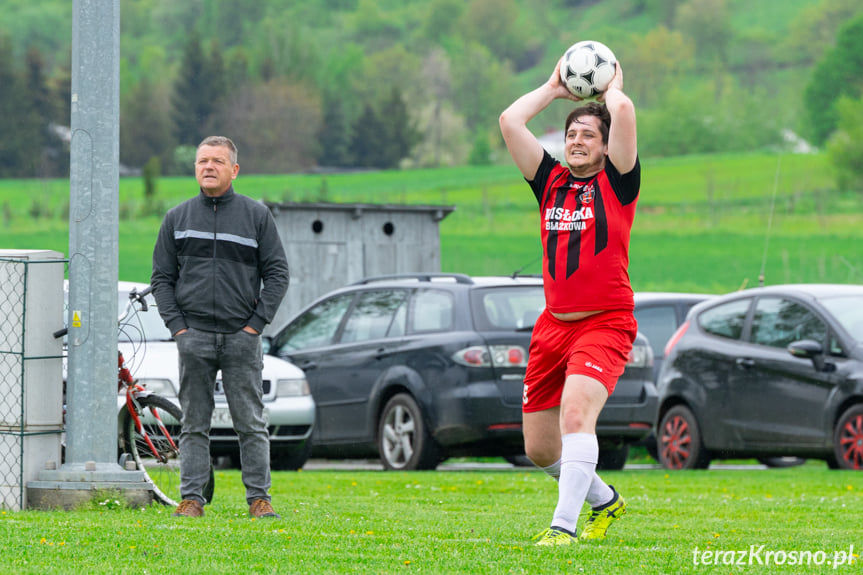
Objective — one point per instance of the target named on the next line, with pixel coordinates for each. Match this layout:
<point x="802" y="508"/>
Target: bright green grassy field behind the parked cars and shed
<point x="704" y="223"/>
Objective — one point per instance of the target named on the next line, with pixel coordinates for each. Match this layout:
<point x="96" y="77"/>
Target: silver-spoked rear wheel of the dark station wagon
<point x="404" y="441"/>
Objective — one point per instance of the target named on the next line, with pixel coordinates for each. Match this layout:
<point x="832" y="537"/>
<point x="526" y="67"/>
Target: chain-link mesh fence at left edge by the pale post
<point x="14" y="361"/>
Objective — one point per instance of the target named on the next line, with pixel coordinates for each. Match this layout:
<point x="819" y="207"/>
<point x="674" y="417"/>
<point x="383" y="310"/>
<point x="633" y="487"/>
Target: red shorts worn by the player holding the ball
<point x="597" y="346"/>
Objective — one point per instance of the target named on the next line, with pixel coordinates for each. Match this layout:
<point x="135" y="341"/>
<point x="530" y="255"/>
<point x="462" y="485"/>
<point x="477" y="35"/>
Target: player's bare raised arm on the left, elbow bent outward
<point x="523" y="146"/>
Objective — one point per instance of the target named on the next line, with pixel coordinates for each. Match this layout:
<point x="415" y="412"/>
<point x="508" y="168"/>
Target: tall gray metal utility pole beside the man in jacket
<point x="91" y="391"/>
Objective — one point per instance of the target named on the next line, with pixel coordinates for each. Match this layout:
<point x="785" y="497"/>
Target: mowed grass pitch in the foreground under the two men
<point x="471" y="522"/>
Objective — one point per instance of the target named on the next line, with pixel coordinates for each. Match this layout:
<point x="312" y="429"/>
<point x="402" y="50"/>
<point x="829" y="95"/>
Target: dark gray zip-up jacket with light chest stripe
<point x="211" y="256"/>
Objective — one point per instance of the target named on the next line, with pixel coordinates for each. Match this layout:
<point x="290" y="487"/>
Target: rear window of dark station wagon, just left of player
<point x="507" y="308"/>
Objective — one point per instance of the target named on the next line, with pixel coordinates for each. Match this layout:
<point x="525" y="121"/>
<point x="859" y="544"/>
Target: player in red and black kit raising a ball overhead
<point x="582" y="340"/>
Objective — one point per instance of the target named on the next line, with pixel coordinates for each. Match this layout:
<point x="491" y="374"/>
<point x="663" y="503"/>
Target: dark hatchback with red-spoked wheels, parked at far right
<point x="766" y="372"/>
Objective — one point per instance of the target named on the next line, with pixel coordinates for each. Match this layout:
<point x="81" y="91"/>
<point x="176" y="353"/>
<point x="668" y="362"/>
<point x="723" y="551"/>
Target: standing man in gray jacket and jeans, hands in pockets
<point x="212" y="255"/>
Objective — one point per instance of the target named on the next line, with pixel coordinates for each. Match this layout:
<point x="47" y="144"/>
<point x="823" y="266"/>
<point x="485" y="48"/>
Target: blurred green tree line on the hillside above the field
<point x="419" y="83"/>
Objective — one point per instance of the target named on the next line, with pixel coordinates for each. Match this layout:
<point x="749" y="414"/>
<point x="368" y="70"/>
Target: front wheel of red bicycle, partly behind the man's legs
<point x="159" y="458"/>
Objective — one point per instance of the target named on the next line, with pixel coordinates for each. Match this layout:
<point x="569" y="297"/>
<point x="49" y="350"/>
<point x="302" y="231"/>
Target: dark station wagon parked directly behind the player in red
<point x="420" y="367"/>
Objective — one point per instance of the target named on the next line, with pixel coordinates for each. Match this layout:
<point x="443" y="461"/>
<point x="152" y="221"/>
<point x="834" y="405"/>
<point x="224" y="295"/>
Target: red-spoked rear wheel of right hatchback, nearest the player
<point x="679" y="441"/>
